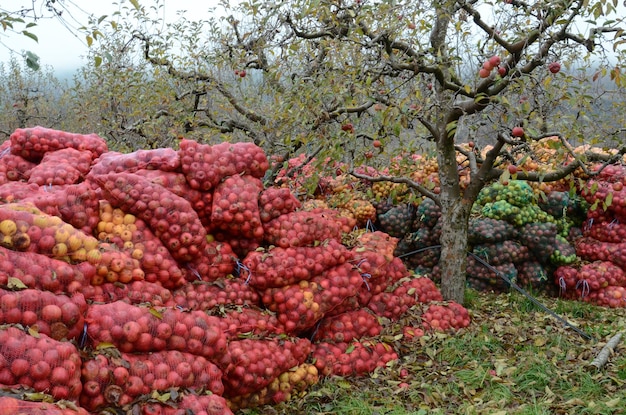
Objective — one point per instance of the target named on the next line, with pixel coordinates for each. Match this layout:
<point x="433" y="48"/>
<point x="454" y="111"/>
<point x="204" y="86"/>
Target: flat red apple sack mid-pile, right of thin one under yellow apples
<point x="205" y="296"/>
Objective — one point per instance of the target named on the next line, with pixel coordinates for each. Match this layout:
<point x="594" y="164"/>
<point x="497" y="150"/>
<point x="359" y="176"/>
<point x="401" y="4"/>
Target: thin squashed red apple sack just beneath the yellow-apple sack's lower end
<point x="136" y="292"/>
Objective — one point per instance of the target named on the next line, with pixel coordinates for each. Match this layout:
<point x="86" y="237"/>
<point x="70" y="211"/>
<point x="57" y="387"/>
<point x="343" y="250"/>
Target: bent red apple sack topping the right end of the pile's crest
<point x="206" y="165"/>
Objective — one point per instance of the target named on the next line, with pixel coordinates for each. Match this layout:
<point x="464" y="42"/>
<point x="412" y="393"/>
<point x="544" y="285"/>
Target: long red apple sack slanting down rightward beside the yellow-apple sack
<point x="171" y="218"/>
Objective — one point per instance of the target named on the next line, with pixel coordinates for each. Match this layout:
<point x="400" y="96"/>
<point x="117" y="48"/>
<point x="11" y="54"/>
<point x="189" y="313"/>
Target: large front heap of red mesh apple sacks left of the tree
<point x="176" y="269"/>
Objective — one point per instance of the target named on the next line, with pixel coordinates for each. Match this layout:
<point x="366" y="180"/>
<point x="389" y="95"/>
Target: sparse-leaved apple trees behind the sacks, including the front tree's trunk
<point x="331" y="77"/>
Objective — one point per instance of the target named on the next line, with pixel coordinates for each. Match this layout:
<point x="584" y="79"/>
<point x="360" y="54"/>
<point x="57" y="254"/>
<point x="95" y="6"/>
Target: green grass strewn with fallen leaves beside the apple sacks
<point x="513" y="359"/>
